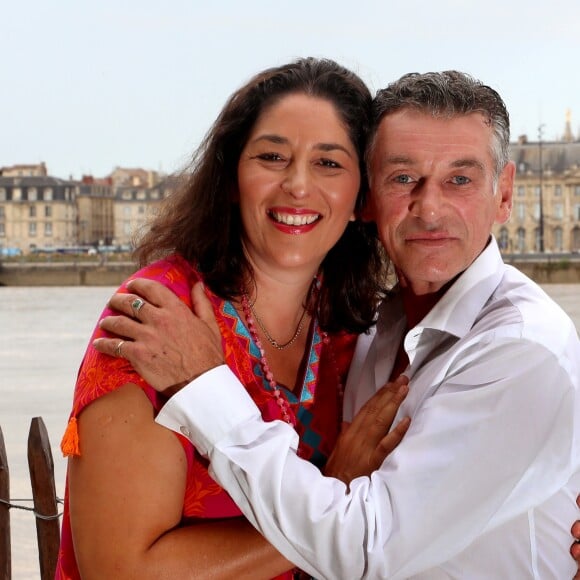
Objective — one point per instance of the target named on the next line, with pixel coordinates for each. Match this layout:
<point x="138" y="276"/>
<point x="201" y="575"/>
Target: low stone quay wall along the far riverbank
<point x="112" y="274"/>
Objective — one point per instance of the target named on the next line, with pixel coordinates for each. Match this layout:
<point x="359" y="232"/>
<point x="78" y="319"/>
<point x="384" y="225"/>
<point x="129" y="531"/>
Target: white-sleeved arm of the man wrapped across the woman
<point x="488" y="440"/>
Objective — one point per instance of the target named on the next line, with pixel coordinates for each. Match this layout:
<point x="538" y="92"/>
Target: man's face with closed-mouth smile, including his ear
<point x="433" y="195"/>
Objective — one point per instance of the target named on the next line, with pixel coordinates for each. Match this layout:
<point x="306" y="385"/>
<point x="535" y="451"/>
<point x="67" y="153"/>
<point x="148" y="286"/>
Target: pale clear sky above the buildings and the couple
<point x="89" y="85"/>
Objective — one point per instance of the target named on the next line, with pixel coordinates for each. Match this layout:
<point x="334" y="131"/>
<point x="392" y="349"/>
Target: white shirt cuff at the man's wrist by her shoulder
<point x="208" y="408"/>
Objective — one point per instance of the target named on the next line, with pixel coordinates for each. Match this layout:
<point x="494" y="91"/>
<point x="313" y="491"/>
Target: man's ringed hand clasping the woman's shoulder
<point x="167" y="343"/>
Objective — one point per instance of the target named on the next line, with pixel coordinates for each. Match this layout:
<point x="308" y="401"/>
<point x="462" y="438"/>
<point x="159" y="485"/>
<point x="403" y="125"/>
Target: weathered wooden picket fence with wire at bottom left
<point x="45" y="502"/>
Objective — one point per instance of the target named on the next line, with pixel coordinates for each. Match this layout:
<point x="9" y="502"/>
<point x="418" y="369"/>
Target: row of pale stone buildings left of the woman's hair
<point x="40" y="212"/>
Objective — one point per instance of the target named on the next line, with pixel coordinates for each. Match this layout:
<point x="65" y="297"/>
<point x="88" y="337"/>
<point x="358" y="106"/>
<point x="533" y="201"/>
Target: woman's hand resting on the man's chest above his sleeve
<point x="363" y="445"/>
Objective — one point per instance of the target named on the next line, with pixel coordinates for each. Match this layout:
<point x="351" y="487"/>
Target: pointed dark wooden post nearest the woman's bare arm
<point x="41" y="468"/>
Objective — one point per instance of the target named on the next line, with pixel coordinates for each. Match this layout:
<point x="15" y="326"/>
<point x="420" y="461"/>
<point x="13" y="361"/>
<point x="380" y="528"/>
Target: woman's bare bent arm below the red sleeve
<point x="126" y="499"/>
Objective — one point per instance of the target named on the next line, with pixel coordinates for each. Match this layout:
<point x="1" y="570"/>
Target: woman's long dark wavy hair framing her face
<point x="201" y="222"/>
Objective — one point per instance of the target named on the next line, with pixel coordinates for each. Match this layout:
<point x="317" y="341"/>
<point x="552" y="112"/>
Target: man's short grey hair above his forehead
<point x="445" y="94"/>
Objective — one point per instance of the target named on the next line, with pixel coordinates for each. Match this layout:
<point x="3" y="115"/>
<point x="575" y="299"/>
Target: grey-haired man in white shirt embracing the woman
<point x="487" y="473"/>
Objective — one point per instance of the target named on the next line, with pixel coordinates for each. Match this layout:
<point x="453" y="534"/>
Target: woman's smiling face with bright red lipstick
<point x="298" y="179"/>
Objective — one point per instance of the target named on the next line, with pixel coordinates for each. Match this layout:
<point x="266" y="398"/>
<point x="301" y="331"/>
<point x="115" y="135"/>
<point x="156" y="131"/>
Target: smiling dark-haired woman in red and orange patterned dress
<point x="266" y="219"/>
